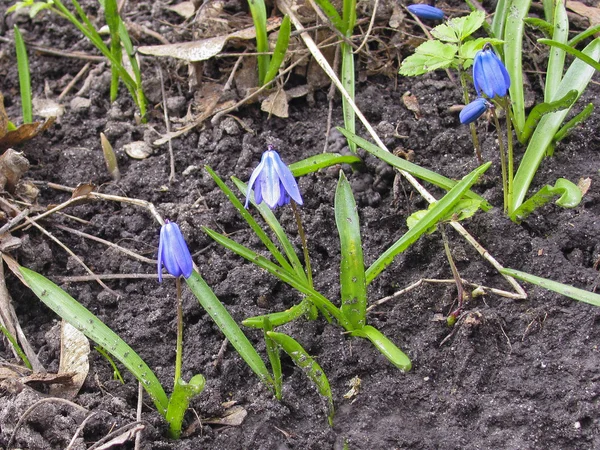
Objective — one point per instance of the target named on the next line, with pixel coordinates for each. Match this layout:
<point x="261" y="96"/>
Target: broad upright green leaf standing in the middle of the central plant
<point x="352" y="267"/>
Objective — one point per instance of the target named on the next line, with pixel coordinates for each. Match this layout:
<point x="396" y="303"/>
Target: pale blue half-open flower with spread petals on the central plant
<point x="273" y="181"/>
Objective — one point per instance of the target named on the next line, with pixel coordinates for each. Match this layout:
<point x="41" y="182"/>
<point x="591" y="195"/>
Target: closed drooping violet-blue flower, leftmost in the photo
<point x="173" y="252"/>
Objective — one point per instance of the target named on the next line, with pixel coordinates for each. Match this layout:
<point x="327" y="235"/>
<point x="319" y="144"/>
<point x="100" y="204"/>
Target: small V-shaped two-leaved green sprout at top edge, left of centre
<point x="268" y="66"/>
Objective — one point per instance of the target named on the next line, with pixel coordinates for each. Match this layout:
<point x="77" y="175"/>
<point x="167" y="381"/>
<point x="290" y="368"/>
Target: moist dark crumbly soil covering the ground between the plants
<point x="511" y="374"/>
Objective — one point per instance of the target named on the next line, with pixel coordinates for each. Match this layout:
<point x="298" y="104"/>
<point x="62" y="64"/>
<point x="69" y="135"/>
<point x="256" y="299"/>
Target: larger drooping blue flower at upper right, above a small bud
<point x="489" y="74"/>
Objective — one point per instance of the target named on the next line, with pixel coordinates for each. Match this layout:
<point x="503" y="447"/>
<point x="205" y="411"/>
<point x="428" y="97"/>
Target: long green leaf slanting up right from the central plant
<point x="437" y="213"/>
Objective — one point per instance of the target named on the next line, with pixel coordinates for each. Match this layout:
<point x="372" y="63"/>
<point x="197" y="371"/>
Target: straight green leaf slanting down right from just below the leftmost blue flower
<point x="211" y="304"/>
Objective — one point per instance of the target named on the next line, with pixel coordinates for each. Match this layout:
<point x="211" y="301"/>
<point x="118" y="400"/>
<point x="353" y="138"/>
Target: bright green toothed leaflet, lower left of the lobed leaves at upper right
<point x="429" y="56"/>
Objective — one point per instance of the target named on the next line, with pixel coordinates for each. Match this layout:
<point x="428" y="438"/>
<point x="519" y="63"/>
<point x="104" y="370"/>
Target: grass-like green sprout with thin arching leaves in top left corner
<point x="119" y="40"/>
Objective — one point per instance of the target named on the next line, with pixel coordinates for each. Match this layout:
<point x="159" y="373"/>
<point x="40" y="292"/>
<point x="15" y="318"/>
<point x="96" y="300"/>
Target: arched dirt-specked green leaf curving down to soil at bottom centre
<point x="307" y="363"/>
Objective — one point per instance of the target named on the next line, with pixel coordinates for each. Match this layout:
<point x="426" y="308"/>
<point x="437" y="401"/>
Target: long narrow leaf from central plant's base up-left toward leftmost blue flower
<point x="317" y="298"/>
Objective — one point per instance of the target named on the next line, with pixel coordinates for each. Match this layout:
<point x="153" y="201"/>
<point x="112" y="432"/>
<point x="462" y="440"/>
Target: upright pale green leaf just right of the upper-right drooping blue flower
<point x="513" y="49"/>
